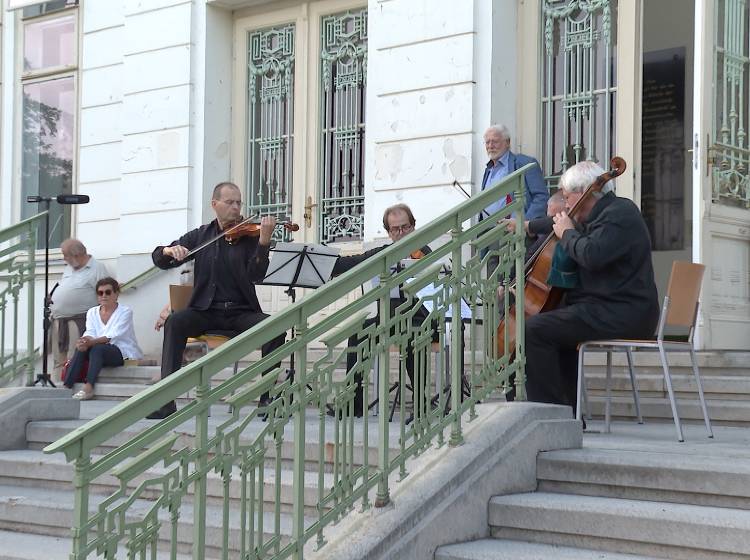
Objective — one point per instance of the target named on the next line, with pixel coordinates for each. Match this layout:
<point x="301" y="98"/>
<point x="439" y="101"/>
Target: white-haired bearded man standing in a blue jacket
<point x="503" y="162"/>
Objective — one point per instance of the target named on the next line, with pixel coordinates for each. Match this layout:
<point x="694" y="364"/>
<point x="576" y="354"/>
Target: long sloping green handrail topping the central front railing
<point x="98" y="430"/>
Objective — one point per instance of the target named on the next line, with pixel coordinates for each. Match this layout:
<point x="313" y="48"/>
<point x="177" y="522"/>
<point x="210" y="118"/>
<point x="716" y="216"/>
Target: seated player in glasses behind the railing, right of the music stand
<point x="398" y="221"/>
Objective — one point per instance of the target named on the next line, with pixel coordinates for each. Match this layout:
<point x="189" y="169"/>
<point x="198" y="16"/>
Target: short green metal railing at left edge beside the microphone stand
<point x="17" y="252"/>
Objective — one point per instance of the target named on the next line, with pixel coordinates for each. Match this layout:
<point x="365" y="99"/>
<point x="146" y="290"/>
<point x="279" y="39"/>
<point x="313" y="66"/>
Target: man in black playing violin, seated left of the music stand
<point x="225" y="271"/>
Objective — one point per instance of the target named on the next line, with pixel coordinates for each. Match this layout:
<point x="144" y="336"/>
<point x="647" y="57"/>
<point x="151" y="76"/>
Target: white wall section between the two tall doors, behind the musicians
<point x="433" y="84"/>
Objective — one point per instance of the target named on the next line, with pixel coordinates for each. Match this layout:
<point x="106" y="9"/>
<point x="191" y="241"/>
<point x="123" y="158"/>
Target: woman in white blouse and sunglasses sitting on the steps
<point x="108" y="341"/>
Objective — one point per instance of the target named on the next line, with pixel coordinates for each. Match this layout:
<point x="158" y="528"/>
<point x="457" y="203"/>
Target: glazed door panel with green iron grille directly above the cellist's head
<point x="579" y="83"/>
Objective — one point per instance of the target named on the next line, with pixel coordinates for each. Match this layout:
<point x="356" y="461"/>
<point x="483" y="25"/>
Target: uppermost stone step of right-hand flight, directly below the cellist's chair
<point x="686" y="478"/>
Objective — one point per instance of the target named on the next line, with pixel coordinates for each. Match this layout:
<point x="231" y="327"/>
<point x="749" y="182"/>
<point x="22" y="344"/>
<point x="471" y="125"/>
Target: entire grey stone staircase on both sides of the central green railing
<point x="610" y="500"/>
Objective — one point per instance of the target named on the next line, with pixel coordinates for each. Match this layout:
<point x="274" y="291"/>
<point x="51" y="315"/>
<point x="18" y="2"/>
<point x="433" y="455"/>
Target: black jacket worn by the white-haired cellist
<point x="617" y="293"/>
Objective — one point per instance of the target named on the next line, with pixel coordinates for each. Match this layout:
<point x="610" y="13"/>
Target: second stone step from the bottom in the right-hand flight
<point x="675" y="531"/>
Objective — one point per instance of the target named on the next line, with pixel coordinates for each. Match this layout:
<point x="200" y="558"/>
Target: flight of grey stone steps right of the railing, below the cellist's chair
<point x="633" y="494"/>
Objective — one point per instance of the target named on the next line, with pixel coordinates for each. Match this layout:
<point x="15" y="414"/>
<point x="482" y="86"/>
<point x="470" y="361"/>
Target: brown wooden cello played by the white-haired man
<point x="538" y="295"/>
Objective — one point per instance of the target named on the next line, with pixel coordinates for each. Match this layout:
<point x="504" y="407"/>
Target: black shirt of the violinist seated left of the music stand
<point x="246" y="258"/>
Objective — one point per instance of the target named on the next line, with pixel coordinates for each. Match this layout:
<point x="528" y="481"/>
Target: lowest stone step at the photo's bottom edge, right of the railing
<point x="504" y="549"/>
